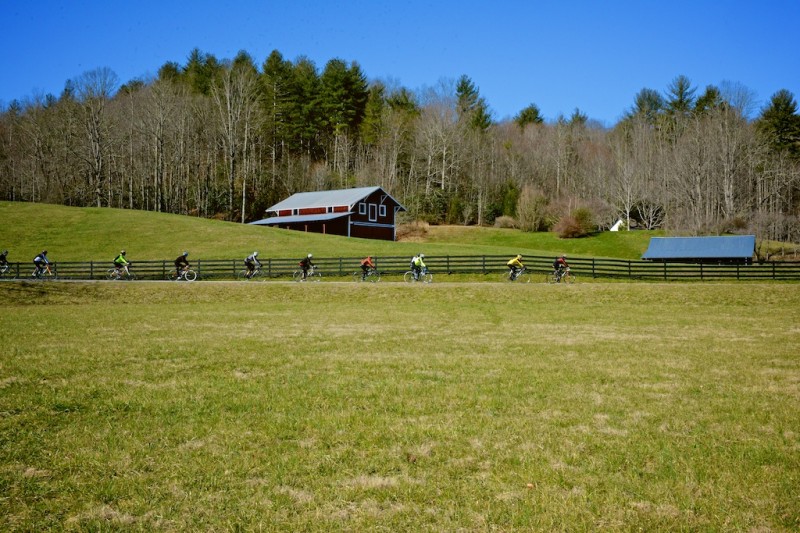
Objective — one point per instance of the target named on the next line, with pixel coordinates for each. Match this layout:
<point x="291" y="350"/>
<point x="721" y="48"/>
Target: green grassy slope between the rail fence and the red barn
<point x="78" y="234"/>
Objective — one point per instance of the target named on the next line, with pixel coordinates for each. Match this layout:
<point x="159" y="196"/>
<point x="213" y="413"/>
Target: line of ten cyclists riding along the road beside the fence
<point x="417" y="264"/>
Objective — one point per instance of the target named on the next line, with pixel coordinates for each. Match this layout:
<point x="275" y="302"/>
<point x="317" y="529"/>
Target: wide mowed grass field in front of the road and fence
<point x="386" y="407"/>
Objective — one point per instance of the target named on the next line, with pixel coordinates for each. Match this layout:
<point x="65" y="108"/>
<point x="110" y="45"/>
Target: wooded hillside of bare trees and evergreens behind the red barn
<point x="228" y="138"/>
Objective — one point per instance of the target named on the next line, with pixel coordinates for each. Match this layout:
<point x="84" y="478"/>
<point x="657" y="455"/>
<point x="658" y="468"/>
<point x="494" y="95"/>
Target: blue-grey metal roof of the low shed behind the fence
<point x="733" y="247"/>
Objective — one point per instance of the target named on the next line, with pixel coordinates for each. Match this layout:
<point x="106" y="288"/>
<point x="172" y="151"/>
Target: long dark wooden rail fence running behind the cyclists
<point x="449" y="264"/>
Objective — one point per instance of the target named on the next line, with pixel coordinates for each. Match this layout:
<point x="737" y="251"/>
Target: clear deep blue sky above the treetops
<point x="592" y="55"/>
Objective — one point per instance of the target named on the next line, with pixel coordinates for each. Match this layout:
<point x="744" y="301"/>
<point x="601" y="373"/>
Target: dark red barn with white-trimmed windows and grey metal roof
<point x="365" y="212"/>
